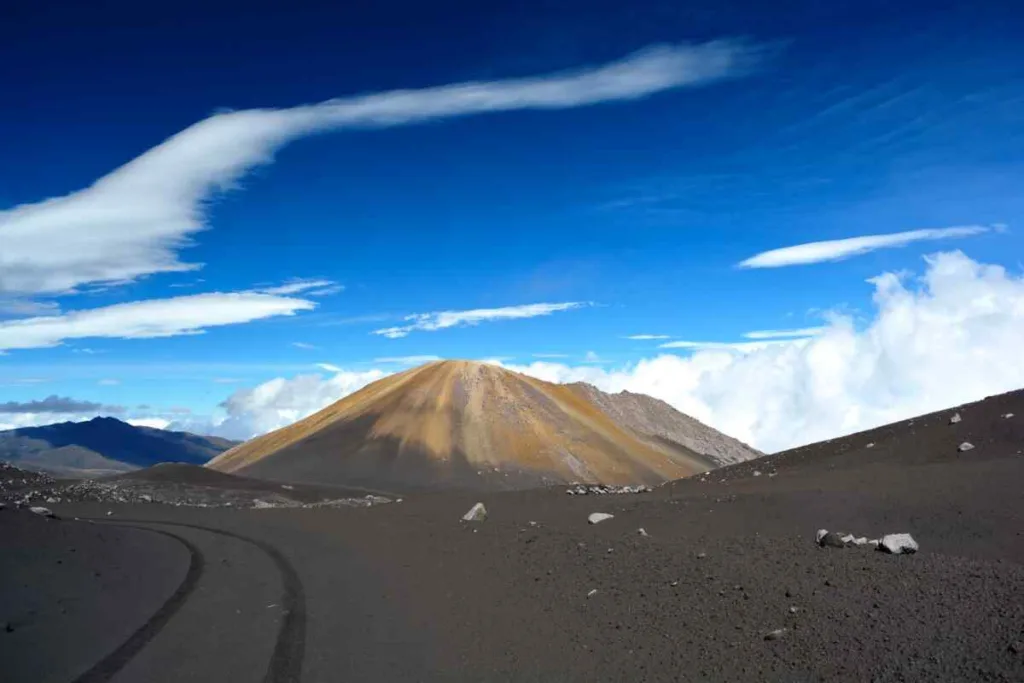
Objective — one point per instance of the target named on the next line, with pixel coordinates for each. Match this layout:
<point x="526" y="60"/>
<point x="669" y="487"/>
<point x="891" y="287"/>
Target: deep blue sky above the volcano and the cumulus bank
<point x="784" y="125"/>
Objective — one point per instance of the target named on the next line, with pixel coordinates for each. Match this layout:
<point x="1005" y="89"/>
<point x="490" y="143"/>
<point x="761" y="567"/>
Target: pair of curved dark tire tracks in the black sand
<point x="286" y="661"/>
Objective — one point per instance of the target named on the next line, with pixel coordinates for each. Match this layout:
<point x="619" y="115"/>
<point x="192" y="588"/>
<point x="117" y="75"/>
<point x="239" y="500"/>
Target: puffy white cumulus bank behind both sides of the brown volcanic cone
<point x="950" y="337"/>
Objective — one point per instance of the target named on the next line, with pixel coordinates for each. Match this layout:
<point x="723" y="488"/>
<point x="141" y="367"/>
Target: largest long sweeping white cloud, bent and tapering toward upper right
<point x="134" y="222"/>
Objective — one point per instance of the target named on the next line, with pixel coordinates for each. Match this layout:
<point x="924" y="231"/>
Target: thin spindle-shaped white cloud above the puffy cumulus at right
<point x="836" y="250"/>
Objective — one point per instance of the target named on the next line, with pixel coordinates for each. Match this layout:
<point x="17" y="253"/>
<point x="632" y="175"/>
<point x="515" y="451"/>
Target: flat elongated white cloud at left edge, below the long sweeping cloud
<point x="155" y="318"/>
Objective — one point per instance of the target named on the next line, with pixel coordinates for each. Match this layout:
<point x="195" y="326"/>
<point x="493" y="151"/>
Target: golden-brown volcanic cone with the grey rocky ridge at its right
<point x="474" y="425"/>
